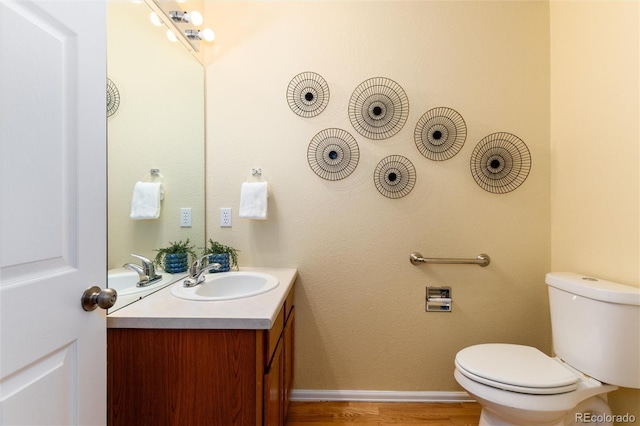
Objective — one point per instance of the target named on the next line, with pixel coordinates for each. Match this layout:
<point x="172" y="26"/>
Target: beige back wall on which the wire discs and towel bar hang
<point x="360" y="321"/>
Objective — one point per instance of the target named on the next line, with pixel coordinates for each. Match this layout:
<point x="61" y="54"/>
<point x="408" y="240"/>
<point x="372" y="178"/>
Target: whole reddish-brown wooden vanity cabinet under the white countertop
<point x="203" y="377"/>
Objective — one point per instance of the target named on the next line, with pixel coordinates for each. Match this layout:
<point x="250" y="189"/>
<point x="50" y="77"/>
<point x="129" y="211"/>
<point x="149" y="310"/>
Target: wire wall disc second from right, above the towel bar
<point x="440" y="133"/>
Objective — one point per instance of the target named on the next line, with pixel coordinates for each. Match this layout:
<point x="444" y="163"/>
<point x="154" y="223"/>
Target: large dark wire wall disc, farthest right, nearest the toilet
<point x="500" y="163"/>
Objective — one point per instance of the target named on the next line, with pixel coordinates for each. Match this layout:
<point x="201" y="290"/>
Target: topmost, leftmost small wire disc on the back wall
<point x="308" y="94"/>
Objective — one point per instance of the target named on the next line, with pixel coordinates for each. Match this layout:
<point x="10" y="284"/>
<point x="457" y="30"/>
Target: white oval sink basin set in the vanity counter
<point x="227" y="286"/>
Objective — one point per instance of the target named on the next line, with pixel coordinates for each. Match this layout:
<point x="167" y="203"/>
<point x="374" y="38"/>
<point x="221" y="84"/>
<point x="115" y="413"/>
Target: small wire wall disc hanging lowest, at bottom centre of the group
<point x="394" y="176"/>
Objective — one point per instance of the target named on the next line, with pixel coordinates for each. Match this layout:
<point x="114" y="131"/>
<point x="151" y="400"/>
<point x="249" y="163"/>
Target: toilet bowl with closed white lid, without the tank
<point x="519" y="385"/>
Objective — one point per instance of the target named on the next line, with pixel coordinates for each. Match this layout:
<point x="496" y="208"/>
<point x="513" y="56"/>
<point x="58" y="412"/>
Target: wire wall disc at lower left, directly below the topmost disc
<point x="333" y="154"/>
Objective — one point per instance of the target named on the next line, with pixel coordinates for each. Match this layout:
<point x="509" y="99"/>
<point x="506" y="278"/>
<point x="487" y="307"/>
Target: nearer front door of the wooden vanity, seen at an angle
<point x="274" y="389"/>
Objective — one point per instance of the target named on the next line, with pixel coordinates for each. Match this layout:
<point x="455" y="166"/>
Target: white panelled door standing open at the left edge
<point x="52" y="211"/>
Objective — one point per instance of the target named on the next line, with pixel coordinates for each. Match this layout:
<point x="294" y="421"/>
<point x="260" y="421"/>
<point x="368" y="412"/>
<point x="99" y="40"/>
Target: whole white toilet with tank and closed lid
<point x="596" y="339"/>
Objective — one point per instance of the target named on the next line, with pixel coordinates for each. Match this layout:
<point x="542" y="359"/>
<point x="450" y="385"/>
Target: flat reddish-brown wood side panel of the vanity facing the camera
<point x="185" y="377"/>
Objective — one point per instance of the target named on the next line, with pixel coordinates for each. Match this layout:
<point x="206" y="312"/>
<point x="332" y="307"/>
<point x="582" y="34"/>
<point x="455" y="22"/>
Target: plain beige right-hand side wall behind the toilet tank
<point x="595" y="129"/>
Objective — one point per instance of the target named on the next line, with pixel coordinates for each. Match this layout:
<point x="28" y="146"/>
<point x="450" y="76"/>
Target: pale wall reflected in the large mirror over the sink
<point x="159" y="124"/>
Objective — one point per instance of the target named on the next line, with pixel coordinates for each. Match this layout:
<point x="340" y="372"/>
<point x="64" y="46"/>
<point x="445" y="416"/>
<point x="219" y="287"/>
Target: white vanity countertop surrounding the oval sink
<point x="162" y="310"/>
